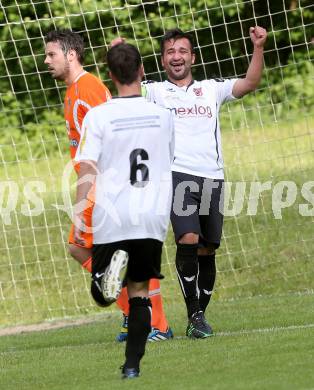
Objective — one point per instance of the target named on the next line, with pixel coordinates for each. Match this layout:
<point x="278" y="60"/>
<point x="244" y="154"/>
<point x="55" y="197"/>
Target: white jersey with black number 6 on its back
<point x="132" y="141"/>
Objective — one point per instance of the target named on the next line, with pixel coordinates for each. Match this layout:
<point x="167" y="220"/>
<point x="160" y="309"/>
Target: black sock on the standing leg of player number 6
<point x="138" y="330"/>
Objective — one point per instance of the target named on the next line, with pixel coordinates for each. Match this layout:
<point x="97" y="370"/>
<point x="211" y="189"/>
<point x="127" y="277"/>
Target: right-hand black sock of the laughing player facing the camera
<point x="206" y="279"/>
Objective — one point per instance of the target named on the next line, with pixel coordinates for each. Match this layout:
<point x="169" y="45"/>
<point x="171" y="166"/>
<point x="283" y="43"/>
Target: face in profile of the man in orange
<point x="57" y="61"/>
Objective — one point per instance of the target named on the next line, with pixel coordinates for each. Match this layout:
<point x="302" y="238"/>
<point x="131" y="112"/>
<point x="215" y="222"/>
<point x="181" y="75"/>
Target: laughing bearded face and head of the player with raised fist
<point x="177" y="60"/>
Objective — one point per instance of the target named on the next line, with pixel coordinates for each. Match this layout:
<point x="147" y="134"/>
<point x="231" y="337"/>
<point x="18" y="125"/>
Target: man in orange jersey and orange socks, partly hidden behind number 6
<point x="64" y="57"/>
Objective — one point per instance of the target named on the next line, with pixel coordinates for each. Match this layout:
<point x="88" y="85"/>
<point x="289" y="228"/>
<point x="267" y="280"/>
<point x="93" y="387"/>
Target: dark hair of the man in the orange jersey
<point x="68" y="40"/>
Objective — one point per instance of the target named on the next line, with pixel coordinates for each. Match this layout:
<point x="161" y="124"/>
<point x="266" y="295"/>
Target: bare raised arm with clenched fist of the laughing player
<point x="254" y="73"/>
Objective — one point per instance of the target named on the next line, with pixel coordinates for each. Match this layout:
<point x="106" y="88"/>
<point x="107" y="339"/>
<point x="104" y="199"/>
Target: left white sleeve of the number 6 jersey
<point x="91" y="139"/>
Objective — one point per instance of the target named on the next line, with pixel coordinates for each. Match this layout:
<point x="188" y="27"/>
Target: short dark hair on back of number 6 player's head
<point x="124" y="61"/>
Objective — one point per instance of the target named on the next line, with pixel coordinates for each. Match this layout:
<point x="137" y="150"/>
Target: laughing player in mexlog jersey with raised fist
<point x="198" y="164"/>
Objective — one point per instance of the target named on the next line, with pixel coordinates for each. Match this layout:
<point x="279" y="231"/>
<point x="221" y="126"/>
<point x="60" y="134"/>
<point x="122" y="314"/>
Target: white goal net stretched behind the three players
<point x="268" y="141"/>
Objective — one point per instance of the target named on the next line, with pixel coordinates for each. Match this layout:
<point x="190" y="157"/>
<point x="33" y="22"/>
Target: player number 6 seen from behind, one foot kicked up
<point x="127" y="144"/>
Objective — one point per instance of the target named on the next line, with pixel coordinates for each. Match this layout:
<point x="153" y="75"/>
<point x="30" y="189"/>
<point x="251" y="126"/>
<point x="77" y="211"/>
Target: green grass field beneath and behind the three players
<point x="262" y="309"/>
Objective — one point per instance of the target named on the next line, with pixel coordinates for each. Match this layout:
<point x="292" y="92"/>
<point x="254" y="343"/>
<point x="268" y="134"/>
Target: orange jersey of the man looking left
<point x="85" y="92"/>
